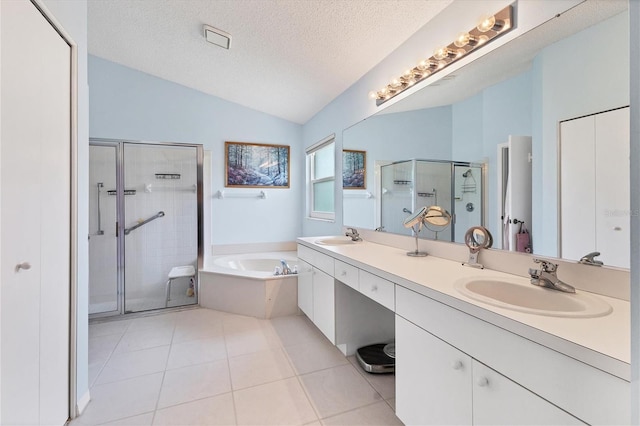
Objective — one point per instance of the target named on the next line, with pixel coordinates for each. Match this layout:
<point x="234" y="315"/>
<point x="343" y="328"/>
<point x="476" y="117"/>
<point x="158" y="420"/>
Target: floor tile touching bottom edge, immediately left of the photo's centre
<point x="278" y="403"/>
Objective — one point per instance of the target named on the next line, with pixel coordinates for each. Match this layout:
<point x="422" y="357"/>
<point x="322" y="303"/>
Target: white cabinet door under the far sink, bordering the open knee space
<point x="324" y="304"/>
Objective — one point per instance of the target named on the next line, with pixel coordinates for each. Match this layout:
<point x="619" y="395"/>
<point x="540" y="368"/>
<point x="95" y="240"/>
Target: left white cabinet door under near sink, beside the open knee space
<point x="433" y="379"/>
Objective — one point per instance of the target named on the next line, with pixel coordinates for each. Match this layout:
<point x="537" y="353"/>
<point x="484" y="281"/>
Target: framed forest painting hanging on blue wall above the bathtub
<point x="254" y="165"/>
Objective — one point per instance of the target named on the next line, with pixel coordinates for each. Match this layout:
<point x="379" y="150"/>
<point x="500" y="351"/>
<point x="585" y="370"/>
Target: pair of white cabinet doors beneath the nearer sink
<point x="440" y="385"/>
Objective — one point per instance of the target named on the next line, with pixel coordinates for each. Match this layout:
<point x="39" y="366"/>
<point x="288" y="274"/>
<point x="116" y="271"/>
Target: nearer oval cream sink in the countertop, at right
<point x="532" y="299"/>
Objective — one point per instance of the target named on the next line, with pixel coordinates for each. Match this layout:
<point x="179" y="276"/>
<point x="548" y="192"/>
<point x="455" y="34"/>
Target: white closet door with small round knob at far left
<point x="35" y="220"/>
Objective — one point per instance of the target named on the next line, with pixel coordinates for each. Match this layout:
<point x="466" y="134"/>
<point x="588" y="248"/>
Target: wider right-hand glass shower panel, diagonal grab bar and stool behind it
<point x="160" y="225"/>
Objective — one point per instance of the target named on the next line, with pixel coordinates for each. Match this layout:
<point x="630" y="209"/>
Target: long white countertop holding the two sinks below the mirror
<point x="603" y="342"/>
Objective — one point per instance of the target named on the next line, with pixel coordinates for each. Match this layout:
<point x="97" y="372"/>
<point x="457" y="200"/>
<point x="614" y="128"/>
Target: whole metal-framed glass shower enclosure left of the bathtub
<point x="145" y="219"/>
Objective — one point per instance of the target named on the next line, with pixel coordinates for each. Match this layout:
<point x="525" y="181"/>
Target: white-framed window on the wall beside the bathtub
<point x="321" y="179"/>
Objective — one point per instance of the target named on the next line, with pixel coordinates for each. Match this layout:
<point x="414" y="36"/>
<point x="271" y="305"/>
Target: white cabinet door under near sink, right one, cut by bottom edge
<point x="499" y="401"/>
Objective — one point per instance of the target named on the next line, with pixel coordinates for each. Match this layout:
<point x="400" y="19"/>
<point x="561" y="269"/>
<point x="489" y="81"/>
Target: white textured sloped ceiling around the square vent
<point x="288" y="58"/>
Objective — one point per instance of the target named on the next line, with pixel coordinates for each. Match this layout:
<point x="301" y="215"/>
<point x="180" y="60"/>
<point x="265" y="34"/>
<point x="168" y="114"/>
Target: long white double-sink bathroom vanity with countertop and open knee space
<point x="464" y="361"/>
